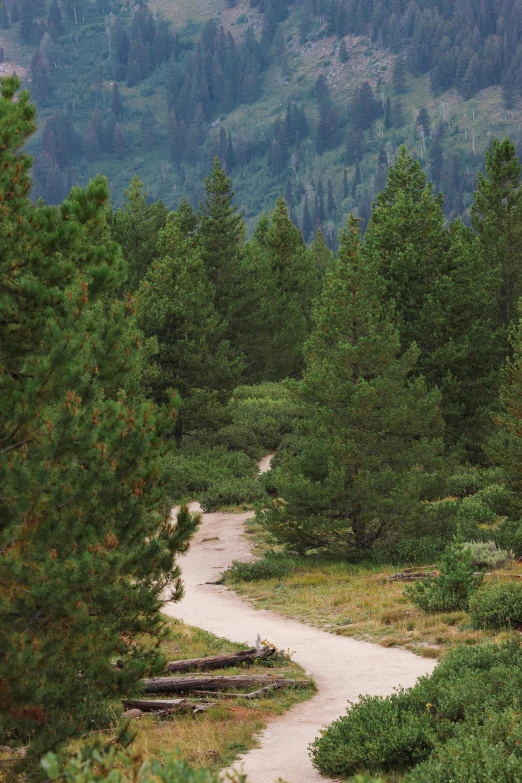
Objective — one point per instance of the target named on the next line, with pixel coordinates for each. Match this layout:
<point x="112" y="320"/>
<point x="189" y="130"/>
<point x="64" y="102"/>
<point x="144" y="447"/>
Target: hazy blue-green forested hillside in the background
<point x="310" y="101"/>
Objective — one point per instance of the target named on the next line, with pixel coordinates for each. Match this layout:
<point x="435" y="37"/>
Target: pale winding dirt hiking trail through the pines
<point x="342" y="668"/>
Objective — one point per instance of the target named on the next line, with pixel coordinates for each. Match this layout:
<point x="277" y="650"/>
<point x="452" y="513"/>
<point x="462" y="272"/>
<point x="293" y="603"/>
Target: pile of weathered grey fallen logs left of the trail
<point x="207" y="685"/>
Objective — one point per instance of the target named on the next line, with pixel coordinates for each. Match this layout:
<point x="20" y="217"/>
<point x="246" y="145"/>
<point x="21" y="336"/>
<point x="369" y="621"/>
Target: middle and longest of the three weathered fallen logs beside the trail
<point x="187" y="684"/>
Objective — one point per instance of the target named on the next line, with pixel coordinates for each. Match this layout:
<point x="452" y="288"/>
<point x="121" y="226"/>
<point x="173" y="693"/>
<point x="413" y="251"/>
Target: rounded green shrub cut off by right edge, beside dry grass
<point x="497" y="605"/>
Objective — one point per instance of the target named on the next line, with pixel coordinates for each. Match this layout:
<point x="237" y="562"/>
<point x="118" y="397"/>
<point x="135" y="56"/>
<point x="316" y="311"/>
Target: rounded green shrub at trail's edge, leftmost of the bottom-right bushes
<point x="377" y="734"/>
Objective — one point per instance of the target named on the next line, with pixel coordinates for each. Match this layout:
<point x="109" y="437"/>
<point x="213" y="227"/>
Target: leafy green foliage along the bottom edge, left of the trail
<point x="125" y="767"/>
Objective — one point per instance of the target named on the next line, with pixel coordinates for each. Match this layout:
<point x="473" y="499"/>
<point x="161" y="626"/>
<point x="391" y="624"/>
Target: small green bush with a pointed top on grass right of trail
<point x="453" y="587"/>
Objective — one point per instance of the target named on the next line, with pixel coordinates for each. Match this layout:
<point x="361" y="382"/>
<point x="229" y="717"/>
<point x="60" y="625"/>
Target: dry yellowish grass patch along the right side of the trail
<point x="358" y="601"/>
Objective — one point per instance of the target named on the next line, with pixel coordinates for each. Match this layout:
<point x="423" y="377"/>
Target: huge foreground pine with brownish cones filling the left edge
<point x="85" y="518"/>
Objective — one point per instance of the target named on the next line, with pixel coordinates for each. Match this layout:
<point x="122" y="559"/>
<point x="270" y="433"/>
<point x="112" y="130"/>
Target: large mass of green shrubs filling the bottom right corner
<point x="468" y="694"/>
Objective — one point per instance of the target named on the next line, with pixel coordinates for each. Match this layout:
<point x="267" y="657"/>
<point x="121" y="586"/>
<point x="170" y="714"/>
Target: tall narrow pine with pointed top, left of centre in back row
<point x="221" y="234"/>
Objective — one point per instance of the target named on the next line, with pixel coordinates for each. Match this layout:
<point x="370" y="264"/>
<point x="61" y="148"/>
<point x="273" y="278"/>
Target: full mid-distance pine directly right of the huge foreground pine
<point x="175" y="307"/>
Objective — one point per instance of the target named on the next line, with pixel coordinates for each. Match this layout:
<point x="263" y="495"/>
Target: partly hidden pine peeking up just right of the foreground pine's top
<point x="136" y="228"/>
